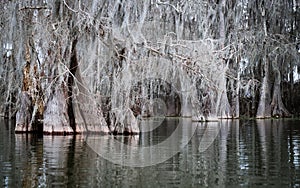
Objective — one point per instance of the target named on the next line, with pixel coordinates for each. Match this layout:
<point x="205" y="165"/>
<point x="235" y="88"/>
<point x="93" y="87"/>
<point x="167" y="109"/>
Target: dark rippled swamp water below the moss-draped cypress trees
<point x="250" y="153"/>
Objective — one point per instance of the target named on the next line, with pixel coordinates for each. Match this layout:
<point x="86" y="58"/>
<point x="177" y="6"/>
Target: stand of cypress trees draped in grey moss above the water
<point x="100" y="66"/>
